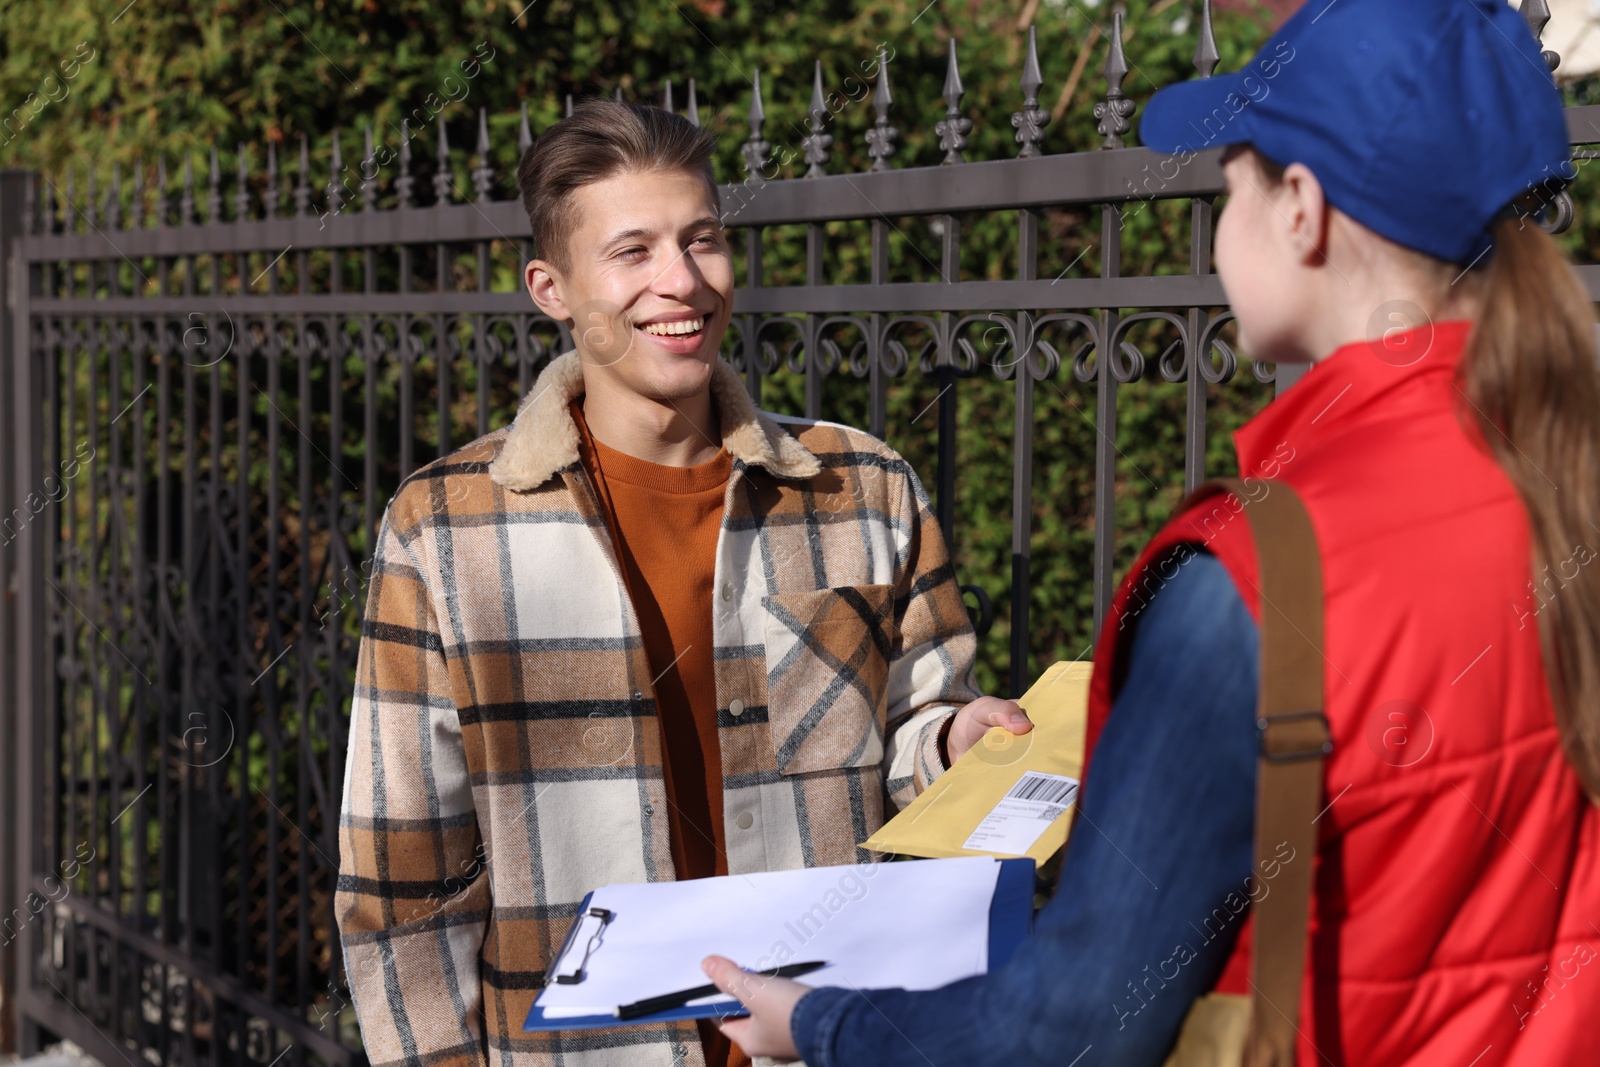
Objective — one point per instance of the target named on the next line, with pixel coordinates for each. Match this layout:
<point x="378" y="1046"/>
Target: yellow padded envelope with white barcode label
<point x="1009" y="794"/>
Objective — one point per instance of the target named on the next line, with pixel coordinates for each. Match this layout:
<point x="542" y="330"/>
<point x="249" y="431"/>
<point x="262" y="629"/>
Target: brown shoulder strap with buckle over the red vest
<point x="1295" y="740"/>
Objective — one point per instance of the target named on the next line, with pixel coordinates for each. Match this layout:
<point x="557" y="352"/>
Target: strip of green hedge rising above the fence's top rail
<point x="81" y="89"/>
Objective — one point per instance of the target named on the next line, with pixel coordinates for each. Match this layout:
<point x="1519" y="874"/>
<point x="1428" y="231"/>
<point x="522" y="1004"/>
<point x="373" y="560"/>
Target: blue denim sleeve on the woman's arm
<point x="1153" y="889"/>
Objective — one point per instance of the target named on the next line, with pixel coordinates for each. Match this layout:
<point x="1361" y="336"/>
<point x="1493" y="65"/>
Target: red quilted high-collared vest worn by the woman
<point x="1457" y="909"/>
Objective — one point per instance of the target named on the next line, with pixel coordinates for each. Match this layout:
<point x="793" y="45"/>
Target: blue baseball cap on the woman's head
<point x="1422" y="119"/>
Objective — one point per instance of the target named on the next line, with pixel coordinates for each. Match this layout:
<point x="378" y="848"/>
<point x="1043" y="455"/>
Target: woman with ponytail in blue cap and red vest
<point x="1447" y="447"/>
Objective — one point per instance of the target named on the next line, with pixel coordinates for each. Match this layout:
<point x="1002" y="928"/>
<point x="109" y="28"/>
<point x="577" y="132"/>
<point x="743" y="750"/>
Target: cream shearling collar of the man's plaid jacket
<point x="545" y="439"/>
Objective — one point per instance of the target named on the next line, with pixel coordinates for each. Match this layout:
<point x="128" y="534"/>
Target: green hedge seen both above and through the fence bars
<point x="166" y="79"/>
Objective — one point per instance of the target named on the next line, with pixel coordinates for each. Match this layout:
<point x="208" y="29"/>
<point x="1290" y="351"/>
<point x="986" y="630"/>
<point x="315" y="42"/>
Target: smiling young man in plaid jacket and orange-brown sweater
<point x="646" y="633"/>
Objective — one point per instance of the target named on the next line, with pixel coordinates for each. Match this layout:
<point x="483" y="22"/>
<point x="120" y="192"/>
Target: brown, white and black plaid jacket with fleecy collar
<point x="505" y="754"/>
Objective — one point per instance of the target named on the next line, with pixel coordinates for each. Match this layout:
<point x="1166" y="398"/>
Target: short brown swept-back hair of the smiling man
<point x="602" y="138"/>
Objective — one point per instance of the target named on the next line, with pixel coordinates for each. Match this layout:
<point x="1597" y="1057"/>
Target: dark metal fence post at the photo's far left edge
<point x="17" y="190"/>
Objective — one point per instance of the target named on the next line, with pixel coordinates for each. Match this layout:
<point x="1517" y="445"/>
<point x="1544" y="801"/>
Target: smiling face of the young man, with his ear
<point x="649" y="286"/>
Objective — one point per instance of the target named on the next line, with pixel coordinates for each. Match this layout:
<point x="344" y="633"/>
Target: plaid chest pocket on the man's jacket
<point x="828" y="661"/>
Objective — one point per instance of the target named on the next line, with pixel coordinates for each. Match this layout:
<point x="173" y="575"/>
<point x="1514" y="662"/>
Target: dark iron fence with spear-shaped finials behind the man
<point x="209" y="417"/>
